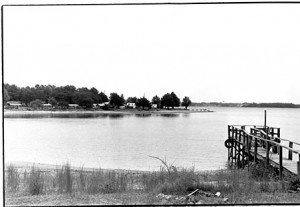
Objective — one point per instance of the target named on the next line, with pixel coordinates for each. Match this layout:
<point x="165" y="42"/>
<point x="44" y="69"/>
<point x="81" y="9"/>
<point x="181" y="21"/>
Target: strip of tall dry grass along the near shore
<point x="239" y="186"/>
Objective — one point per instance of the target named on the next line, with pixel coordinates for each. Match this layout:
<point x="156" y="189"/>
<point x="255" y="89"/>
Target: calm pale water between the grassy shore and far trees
<point x="125" y="141"/>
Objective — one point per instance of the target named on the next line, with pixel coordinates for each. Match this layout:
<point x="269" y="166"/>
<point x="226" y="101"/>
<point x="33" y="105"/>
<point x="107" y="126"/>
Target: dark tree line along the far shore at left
<point x="64" y="95"/>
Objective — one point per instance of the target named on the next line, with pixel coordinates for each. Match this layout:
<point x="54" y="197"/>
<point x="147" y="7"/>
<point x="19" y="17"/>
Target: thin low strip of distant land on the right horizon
<point x="260" y="105"/>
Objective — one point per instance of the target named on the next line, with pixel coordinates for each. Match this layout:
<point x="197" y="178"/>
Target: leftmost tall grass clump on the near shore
<point x="12" y="179"/>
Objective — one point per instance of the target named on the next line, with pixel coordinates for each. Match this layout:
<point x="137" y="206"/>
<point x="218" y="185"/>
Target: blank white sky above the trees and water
<point x="230" y="53"/>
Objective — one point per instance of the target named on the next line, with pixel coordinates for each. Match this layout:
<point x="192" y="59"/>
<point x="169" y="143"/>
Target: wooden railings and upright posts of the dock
<point x="240" y="143"/>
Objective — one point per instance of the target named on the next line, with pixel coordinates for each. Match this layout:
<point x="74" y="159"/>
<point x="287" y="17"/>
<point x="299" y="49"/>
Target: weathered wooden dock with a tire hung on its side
<point x="248" y="143"/>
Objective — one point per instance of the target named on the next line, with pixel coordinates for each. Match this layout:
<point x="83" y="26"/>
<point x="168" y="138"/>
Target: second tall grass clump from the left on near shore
<point x="35" y="181"/>
